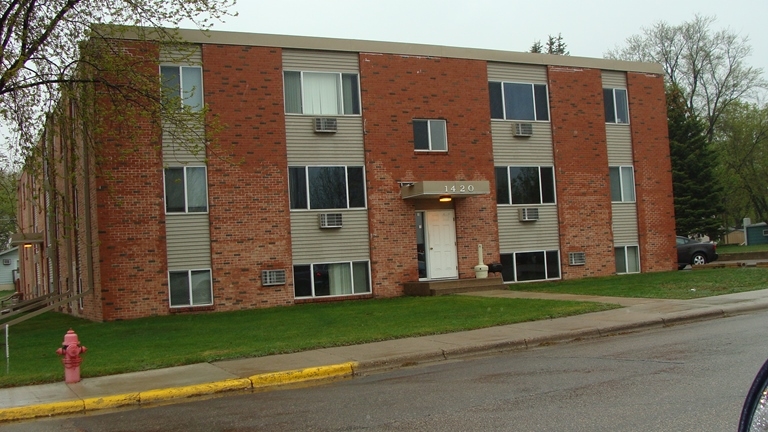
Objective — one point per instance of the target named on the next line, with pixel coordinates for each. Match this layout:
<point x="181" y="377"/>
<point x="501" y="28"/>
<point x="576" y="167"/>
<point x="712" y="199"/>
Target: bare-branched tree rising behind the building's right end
<point x="708" y="66"/>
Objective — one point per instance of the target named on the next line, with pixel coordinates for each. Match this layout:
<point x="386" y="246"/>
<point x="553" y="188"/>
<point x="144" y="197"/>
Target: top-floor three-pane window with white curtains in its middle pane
<point x="321" y="93"/>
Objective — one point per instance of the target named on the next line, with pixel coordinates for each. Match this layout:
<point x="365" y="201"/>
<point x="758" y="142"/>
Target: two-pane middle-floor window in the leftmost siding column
<point x="186" y="190"/>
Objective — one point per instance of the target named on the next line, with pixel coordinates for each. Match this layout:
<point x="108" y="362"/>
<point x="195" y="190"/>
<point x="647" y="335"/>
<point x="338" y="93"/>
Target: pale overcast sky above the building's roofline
<point x="589" y="27"/>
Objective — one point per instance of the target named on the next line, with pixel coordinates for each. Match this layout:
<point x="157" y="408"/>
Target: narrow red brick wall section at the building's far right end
<point x="653" y="172"/>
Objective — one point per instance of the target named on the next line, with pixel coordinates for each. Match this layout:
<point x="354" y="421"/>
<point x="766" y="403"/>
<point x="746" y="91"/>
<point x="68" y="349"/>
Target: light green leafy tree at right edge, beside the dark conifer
<point x="742" y="146"/>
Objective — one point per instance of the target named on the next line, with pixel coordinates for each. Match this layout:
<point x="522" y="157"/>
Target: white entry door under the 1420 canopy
<point x="441" y="244"/>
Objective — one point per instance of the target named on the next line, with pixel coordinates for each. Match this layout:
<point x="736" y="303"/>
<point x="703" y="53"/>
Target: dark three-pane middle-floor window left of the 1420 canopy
<point x="330" y="187"/>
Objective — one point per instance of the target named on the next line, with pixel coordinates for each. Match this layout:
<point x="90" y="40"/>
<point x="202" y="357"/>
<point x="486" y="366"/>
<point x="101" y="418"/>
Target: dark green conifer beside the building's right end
<point x="698" y="194"/>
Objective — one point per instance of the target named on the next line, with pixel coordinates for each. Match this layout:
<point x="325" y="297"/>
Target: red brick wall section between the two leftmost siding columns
<point x="247" y="176"/>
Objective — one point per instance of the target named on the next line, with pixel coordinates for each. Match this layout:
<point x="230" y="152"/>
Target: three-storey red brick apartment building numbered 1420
<point x="350" y="168"/>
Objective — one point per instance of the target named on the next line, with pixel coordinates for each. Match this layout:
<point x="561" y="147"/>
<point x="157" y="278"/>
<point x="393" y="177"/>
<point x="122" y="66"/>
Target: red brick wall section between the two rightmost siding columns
<point x="581" y="170"/>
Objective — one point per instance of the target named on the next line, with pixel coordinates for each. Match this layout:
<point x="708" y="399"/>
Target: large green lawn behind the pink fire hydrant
<point x="157" y="342"/>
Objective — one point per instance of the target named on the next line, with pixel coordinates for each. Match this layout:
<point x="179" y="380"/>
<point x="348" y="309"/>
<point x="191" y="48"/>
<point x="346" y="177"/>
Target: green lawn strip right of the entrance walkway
<point x="672" y="285"/>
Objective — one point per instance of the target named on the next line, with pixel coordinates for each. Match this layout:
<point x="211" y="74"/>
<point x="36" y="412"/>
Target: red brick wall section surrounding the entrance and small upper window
<point x="395" y="90"/>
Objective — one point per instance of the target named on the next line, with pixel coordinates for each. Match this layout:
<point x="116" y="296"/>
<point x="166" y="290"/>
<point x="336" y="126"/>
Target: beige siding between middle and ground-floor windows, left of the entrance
<point x="312" y="244"/>
